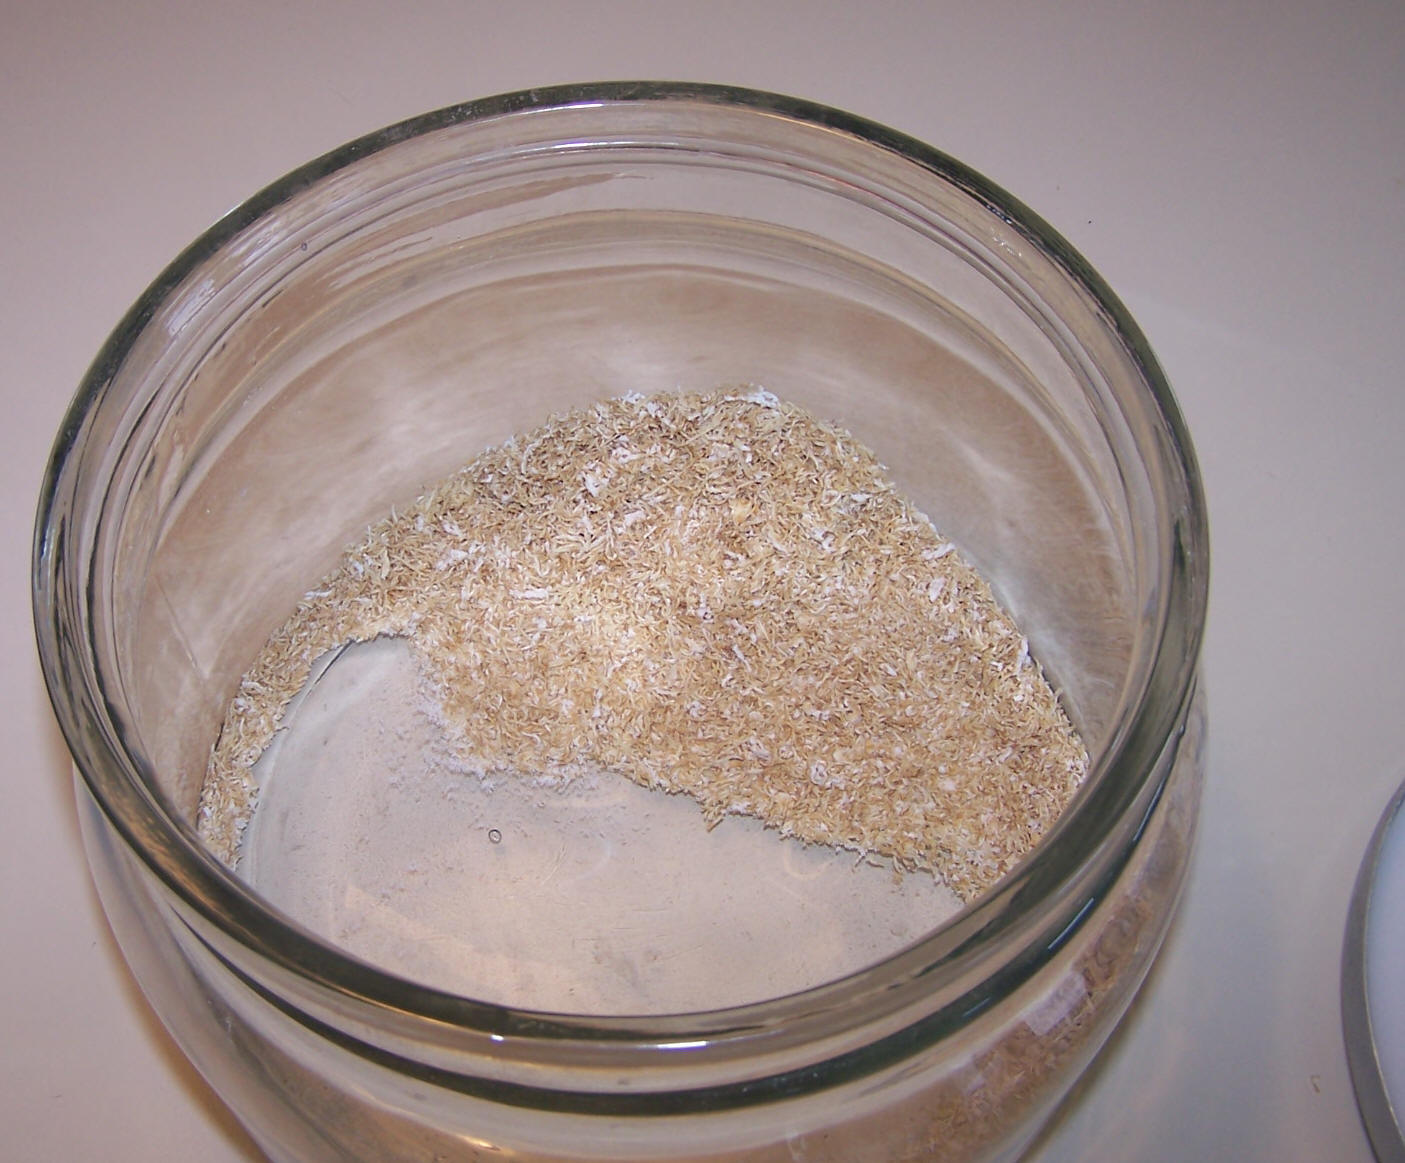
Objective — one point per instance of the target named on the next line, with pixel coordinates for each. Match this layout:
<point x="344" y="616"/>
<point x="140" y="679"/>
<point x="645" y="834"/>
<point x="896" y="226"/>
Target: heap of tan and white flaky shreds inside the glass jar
<point x="713" y="595"/>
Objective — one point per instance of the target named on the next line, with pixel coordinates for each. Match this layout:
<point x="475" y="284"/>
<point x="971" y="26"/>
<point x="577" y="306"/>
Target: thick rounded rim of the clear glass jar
<point x="172" y="853"/>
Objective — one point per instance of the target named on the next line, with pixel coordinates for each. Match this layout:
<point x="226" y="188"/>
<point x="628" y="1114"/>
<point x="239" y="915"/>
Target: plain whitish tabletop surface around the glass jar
<point x="1236" y="171"/>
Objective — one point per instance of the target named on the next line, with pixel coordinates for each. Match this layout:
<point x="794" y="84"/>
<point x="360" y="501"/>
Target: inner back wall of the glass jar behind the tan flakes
<point x="377" y="321"/>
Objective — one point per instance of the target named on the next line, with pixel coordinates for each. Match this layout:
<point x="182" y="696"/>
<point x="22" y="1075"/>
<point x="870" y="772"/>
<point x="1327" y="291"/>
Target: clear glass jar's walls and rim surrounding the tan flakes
<point x="367" y="325"/>
